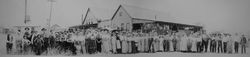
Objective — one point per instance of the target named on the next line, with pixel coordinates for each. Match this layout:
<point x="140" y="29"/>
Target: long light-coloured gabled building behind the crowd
<point x="131" y="18"/>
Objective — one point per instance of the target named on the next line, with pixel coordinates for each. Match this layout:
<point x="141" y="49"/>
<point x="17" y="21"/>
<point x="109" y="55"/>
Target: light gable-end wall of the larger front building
<point x="122" y="20"/>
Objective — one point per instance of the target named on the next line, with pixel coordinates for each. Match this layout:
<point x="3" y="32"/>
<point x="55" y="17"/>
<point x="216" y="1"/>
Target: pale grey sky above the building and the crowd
<point x="215" y="15"/>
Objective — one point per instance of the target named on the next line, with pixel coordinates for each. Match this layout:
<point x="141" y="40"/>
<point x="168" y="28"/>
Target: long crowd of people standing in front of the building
<point x="92" y="41"/>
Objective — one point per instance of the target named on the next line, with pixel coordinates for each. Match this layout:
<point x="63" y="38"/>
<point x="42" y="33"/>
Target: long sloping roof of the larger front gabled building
<point x="148" y="14"/>
